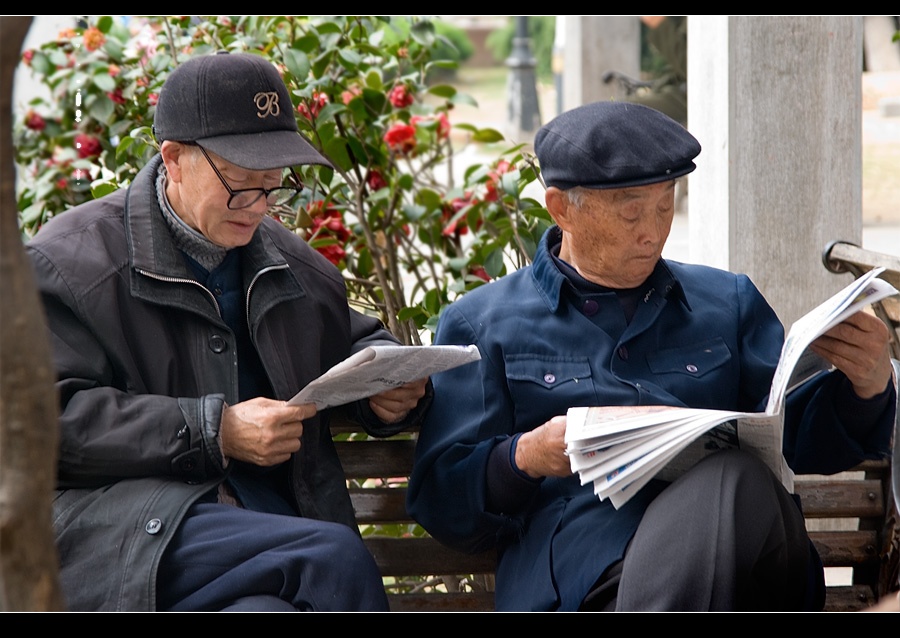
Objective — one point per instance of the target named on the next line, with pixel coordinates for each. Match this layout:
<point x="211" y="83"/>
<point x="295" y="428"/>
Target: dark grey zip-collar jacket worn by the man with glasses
<point x="145" y="366"/>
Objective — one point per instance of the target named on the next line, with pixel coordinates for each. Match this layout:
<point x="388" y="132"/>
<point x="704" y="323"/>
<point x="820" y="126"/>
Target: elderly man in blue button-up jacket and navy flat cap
<point x="600" y="318"/>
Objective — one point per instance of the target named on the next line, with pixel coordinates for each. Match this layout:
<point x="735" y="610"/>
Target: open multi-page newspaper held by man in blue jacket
<point x="620" y="448"/>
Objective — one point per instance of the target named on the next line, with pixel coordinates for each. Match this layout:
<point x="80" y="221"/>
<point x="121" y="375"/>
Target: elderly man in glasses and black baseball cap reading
<point x="182" y="318"/>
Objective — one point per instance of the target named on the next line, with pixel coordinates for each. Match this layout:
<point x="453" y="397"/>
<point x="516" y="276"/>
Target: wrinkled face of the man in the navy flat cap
<point x="614" y="237"/>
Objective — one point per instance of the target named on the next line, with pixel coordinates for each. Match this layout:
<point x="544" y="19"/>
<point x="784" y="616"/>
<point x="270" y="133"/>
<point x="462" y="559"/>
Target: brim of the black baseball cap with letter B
<point x="264" y="151"/>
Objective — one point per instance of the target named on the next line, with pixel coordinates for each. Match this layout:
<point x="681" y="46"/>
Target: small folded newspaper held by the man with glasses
<point x="378" y="368"/>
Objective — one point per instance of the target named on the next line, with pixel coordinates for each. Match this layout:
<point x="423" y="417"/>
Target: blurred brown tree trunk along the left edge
<point x="29" y="569"/>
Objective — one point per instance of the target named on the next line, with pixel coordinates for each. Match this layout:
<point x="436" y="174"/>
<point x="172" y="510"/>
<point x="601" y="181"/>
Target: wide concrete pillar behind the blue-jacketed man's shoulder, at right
<point x="776" y="103"/>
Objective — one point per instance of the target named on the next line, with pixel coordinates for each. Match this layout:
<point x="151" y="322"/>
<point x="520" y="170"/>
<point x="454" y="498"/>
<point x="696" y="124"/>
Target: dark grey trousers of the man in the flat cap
<point x="725" y="536"/>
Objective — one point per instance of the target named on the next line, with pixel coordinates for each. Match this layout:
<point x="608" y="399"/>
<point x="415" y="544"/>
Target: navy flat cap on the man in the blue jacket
<point x="613" y="145"/>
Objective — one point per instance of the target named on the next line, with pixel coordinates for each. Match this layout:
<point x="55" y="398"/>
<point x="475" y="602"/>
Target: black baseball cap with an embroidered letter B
<point x="237" y="106"/>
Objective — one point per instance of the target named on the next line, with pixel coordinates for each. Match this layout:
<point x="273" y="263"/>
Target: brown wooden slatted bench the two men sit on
<point x="422" y="575"/>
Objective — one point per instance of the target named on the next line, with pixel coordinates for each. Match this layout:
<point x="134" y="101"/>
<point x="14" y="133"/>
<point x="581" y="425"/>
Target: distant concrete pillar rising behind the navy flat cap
<point x="593" y="46"/>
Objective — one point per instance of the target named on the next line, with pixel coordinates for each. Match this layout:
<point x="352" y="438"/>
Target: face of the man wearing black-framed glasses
<point x="202" y="200"/>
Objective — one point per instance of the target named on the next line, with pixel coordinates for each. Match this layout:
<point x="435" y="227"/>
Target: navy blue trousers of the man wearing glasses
<point x="224" y="558"/>
